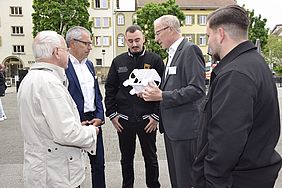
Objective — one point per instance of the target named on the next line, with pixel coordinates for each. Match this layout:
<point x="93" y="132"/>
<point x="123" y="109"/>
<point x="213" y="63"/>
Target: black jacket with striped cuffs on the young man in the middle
<point x="118" y="100"/>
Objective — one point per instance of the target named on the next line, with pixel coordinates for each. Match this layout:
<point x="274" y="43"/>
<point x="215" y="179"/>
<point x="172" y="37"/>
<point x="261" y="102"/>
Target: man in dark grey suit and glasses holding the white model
<point x="182" y="87"/>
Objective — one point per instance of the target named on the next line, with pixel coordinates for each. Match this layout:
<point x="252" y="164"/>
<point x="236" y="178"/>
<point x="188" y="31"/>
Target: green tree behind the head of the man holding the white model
<point x="146" y="17"/>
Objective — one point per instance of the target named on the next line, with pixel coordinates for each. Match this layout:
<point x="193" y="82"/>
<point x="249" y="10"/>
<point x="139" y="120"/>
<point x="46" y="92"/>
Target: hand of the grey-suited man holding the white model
<point x="152" y="92"/>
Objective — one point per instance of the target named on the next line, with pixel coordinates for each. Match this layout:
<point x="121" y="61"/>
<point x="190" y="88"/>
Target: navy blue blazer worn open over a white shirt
<point x="76" y="92"/>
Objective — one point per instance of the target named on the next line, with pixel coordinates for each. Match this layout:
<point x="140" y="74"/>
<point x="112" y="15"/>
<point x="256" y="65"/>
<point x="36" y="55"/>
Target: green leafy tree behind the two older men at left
<point x="59" y="15"/>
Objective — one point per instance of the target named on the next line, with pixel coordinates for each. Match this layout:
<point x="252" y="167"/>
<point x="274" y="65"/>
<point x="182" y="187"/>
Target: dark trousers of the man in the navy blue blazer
<point x="97" y="162"/>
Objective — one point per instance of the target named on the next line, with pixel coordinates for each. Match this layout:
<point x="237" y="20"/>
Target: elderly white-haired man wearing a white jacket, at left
<point x="54" y="138"/>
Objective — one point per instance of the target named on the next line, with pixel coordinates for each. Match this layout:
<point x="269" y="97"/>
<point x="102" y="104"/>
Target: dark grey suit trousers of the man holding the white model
<point x="180" y="156"/>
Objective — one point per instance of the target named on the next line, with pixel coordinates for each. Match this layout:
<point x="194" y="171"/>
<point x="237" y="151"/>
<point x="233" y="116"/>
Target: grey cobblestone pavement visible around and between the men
<point x="11" y="155"/>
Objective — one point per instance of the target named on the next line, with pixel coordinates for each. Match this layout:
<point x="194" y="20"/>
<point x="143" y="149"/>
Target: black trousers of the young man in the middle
<point x="127" y="145"/>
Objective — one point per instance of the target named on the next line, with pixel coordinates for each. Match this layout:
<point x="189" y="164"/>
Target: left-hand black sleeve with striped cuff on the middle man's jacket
<point x="111" y="89"/>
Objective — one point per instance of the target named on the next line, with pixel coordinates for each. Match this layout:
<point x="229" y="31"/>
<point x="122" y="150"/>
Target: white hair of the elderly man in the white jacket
<point x="44" y="44"/>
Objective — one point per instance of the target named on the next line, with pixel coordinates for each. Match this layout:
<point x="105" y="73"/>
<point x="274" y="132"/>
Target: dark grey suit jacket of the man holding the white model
<point x="182" y="92"/>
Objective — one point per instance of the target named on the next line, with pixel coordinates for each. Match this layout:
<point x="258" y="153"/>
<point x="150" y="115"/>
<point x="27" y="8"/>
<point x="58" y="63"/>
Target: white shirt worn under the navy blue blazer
<point x="86" y="81"/>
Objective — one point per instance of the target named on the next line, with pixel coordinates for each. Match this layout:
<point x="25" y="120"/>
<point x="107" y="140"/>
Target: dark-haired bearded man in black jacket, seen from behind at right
<point x="240" y="116"/>
